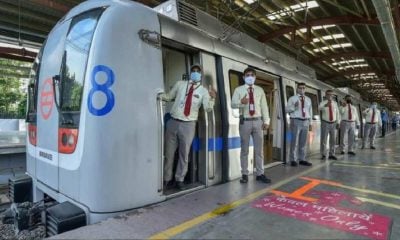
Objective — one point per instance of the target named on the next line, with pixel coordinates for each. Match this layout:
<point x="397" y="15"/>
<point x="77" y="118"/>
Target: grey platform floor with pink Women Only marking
<point x="354" y="197"/>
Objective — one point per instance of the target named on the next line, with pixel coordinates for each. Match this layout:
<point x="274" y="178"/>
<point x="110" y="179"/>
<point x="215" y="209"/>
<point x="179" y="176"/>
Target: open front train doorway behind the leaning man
<point x="202" y="156"/>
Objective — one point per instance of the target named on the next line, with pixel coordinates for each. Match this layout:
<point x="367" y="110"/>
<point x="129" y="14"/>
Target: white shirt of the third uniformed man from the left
<point x="297" y="112"/>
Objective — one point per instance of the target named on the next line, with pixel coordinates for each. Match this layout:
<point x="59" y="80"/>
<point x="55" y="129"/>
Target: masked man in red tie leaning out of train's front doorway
<point x="189" y="97"/>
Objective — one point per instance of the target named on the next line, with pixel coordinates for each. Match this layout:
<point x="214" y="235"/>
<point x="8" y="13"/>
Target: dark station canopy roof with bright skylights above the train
<point x="350" y="43"/>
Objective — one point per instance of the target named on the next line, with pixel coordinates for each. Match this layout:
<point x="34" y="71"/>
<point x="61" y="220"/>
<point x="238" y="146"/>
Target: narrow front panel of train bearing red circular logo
<point x="47" y="149"/>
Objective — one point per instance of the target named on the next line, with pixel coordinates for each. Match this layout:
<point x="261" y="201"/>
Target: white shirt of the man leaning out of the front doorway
<point x="179" y="93"/>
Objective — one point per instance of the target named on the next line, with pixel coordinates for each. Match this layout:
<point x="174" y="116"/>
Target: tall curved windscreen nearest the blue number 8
<point x="74" y="61"/>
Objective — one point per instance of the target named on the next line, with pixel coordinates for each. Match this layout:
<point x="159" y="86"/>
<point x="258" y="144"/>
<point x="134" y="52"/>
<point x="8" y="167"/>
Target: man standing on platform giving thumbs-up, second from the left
<point x="254" y="118"/>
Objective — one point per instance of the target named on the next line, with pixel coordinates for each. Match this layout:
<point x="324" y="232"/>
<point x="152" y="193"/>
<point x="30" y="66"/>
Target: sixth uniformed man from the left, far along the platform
<point x="372" y="119"/>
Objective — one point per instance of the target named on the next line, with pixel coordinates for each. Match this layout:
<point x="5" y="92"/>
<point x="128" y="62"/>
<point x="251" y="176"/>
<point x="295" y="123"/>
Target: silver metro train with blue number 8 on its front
<point x="95" y="122"/>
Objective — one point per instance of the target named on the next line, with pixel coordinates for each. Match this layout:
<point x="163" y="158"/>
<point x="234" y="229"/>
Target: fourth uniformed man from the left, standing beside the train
<point x="330" y="118"/>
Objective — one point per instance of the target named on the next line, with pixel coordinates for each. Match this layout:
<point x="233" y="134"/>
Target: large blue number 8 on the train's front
<point x="104" y="88"/>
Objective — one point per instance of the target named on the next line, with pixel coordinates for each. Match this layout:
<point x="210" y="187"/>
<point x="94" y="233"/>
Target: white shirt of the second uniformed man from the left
<point x="260" y="102"/>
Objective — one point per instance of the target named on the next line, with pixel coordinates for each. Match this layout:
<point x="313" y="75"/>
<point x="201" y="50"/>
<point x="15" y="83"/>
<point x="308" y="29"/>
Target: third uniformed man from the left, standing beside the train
<point x="300" y="109"/>
